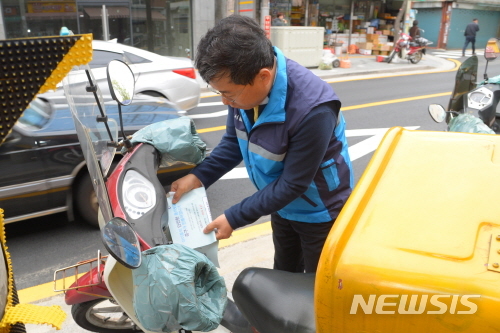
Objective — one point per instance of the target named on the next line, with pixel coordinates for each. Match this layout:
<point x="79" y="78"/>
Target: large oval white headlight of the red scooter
<point x="138" y="194"/>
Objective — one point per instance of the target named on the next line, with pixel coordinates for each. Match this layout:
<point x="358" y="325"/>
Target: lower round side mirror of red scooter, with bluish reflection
<point x="121" y="242"/>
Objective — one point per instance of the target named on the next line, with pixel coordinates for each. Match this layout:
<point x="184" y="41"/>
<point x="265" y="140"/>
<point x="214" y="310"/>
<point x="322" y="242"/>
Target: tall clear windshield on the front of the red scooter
<point x="96" y="133"/>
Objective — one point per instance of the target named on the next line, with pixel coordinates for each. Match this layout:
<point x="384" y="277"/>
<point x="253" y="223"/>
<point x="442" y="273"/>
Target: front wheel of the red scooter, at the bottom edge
<point x="103" y="316"/>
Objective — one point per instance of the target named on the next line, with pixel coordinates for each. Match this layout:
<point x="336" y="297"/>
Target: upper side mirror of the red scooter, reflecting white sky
<point x="121" y="82"/>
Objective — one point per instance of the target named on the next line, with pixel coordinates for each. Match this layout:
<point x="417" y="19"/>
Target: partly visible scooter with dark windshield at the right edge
<point x="473" y="107"/>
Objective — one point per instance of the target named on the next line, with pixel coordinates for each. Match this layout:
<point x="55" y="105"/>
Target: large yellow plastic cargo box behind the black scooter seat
<point x="417" y="246"/>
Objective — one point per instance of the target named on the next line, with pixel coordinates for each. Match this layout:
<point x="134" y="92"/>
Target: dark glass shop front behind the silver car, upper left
<point x="161" y="26"/>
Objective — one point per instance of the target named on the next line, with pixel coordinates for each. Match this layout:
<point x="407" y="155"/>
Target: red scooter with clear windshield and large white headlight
<point x="101" y="299"/>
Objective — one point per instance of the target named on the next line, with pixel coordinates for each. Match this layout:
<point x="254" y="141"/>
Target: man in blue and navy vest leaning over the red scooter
<point x="285" y="123"/>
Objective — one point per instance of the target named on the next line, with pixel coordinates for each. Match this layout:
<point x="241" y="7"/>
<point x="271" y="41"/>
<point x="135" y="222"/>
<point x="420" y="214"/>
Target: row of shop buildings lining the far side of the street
<point x="174" y="27"/>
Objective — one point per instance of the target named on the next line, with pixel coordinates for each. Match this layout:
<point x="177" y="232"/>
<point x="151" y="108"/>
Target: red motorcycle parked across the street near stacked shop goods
<point x="407" y="48"/>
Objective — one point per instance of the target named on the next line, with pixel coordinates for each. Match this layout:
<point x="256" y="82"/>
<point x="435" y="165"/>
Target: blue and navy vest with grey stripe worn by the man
<point x="296" y="91"/>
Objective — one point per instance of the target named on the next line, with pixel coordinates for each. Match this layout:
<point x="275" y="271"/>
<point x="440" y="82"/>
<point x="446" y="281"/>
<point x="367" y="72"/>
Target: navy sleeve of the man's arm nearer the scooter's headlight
<point x="225" y="156"/>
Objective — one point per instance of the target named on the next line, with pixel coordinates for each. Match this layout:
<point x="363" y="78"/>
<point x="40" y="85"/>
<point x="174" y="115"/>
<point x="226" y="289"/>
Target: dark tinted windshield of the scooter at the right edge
<point x="465" y="81"/>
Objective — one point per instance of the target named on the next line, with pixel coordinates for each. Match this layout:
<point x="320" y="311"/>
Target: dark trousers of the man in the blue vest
<point x="298" y="245"/>
